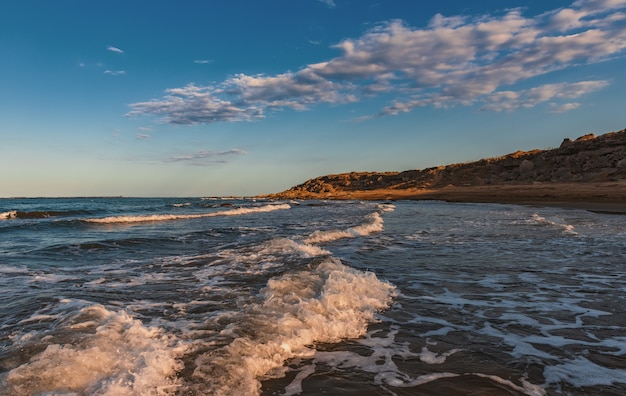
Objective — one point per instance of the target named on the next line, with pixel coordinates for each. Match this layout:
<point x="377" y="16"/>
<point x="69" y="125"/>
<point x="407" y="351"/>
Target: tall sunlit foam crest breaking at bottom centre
<point x="324" y="304"/>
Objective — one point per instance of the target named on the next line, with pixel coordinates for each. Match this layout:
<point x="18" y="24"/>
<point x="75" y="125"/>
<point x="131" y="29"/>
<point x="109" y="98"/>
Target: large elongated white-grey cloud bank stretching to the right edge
<point x="453" y="61"/>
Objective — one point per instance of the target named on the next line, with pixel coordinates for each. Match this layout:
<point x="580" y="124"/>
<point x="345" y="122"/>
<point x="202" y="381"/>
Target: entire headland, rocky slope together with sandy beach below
<point x="589" y="172"/>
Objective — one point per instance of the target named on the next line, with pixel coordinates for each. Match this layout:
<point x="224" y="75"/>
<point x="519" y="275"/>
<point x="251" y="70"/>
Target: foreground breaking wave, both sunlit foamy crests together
<point x="113" y="353"/>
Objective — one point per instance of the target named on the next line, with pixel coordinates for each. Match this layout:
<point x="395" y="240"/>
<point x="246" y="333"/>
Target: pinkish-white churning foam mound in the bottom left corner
<point x="122" y="357"/>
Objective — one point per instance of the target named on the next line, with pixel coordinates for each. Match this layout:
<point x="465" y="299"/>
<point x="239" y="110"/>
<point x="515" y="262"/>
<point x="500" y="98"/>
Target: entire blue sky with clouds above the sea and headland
<point x="206" y="98"/>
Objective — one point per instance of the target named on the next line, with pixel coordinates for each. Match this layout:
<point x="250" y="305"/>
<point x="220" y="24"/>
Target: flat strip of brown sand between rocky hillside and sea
<point x="601" y="197"/>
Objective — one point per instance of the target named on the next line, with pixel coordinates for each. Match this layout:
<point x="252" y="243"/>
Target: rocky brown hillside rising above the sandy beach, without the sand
<point x="586" y="159"/>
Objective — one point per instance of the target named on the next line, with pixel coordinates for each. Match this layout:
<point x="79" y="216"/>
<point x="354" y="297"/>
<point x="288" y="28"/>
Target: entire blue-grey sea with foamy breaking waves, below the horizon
<point x="128" y="296"/>
